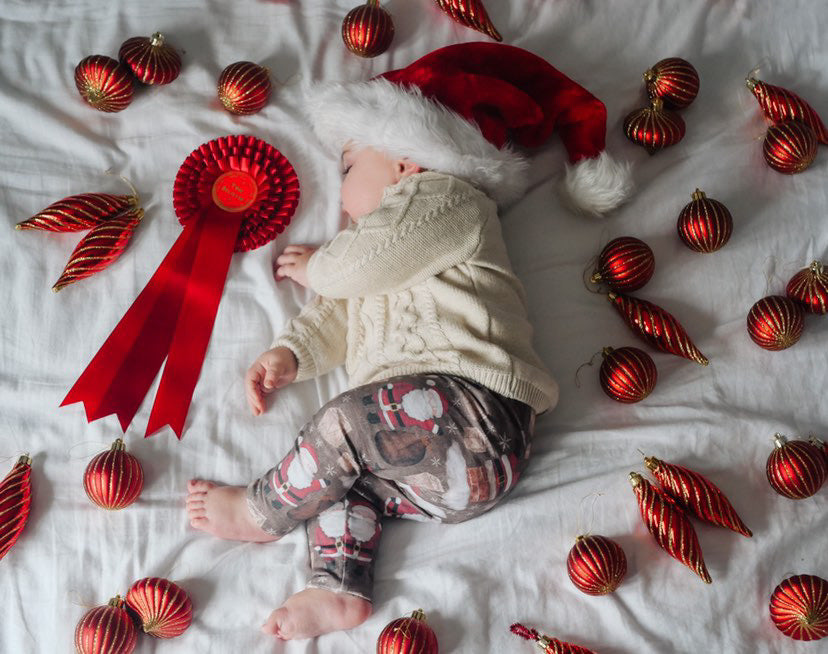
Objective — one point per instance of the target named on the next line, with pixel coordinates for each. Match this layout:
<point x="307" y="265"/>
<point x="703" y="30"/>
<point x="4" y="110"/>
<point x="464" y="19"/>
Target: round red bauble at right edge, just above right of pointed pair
<point x="796" y="469"/>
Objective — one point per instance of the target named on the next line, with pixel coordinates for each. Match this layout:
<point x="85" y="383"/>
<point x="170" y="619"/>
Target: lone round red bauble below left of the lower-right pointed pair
<point x="596" y="565"/>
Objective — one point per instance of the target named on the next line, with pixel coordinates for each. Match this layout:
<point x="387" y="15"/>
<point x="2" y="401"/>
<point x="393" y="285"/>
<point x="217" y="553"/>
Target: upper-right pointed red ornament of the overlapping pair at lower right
<point x="697" y="494"/>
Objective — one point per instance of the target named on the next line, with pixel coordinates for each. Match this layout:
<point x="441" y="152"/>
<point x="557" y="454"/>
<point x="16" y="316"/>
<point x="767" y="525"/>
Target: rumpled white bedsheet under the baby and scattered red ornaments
<point x="473" y="579"/>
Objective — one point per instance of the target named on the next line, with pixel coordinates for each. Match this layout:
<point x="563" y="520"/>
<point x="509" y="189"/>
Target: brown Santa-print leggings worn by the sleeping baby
<point x="425" y="447"/>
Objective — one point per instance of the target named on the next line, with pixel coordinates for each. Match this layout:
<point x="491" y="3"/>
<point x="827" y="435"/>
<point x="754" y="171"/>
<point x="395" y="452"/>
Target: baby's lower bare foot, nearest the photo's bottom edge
<point x="313" y="612"/>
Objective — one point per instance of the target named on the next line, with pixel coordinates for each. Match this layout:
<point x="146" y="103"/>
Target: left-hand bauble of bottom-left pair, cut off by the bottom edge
<point x="106" y="630"/>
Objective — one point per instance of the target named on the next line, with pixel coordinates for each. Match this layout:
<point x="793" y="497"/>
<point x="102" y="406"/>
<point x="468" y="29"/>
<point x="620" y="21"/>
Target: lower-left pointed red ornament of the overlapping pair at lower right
<point x="669" y="525"/>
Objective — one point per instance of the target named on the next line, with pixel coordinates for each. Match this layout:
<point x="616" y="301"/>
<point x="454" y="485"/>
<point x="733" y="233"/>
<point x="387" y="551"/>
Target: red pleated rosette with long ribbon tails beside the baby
<point x="232" y="194"/>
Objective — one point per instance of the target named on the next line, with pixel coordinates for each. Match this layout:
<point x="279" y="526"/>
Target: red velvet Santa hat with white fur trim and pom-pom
<point x="457" y="109"/>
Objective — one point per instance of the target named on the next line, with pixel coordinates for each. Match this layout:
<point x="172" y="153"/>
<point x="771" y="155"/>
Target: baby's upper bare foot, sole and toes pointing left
<point x="222" y="511"/>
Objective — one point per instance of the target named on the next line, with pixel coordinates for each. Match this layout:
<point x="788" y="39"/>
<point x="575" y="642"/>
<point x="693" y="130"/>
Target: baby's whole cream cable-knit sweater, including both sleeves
<point x="422" y="284"/>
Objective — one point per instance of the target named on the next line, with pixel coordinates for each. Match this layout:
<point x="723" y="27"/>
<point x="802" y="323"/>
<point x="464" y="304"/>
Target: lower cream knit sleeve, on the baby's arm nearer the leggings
<point x="317" y="337"/>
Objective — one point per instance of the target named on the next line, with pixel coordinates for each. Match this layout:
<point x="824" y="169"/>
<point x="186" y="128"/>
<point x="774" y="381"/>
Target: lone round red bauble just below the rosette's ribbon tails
<point x="113" y="479"/>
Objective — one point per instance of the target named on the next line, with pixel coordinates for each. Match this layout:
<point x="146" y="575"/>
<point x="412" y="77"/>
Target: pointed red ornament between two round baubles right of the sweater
<point x="656" y="326"/>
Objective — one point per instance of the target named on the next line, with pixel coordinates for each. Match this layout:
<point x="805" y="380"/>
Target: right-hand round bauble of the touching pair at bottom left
<point x="163" y="607"/>
